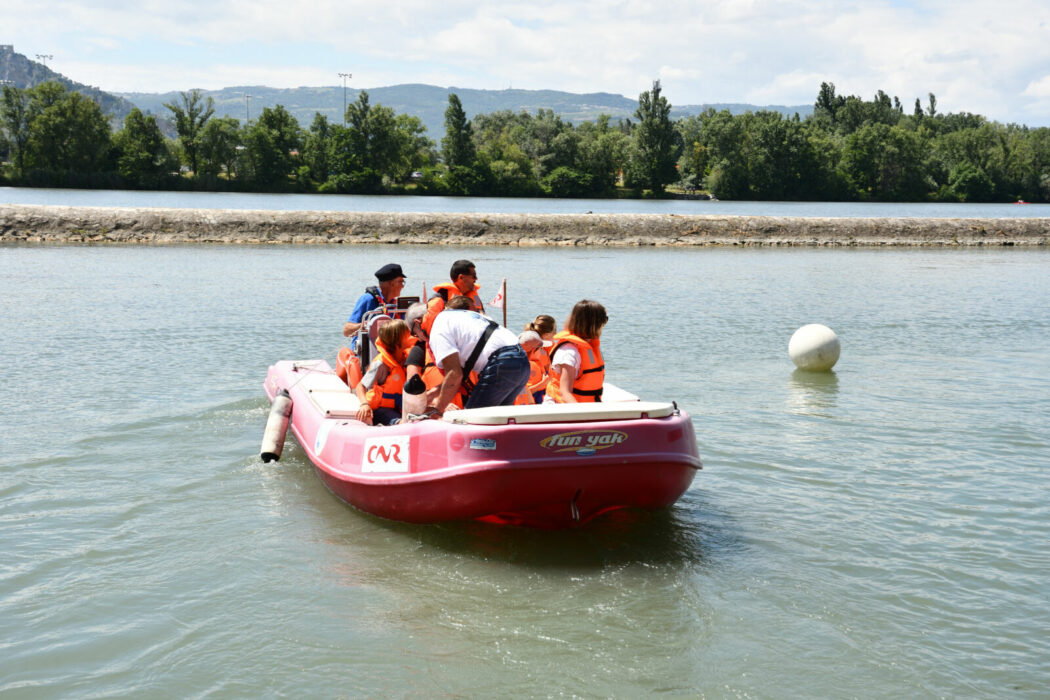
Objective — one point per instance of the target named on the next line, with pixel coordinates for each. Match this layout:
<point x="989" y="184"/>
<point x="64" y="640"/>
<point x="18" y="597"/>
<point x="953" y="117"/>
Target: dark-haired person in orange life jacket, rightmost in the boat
<point x="577" y="367"/>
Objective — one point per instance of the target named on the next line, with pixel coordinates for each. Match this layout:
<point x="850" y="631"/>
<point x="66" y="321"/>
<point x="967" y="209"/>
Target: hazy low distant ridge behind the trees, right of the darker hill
<point x="429" y="103"/>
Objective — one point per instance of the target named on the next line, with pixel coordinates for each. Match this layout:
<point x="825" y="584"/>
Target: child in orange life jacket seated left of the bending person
<point x="381" y="389"/>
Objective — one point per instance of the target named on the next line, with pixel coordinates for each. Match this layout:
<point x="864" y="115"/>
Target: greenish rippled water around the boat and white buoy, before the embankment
<point x="883" y="532"/>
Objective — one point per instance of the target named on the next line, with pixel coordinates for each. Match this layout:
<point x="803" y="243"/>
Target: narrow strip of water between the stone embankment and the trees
<point x="506" y="205"/>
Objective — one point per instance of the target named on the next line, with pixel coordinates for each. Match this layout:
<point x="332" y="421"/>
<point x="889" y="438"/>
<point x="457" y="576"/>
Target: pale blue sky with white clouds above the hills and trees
<point x="978" y="56"/>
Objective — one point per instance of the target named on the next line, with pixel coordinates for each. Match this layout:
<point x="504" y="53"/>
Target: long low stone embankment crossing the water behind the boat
<point x="31" y="224"/>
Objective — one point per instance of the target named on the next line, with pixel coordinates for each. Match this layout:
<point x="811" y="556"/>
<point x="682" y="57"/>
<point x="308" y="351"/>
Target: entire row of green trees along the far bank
<point x="849" y="150"/>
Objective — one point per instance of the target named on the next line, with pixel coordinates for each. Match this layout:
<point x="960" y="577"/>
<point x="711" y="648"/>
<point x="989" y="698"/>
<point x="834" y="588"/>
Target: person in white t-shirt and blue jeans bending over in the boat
<point x="501" y="364"/>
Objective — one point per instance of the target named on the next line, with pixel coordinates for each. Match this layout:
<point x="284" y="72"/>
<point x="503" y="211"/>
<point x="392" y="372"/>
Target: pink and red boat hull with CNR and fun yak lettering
<point x="548" y="466"/>
